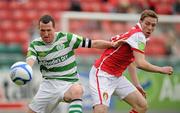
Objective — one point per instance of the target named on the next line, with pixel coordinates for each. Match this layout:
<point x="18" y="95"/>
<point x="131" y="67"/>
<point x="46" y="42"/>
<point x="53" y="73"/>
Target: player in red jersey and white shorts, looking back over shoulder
<point x="106" y="76"/>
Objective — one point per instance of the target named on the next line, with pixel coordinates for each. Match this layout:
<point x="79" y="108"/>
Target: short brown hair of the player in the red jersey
<point x="148" y="13"/>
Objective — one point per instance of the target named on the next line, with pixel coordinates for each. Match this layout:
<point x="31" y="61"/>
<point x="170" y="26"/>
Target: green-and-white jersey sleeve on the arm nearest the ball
<point x="31" y="52"/>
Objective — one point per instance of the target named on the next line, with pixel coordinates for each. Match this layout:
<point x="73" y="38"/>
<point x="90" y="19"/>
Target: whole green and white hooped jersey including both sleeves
<point x="57" y="60"/>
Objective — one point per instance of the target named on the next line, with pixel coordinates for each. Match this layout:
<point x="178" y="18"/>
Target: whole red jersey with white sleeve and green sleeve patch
<point x="115" y="60"/>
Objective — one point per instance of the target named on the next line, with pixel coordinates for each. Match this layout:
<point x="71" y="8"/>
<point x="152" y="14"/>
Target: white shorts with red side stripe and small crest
<point x="103" y="85"/>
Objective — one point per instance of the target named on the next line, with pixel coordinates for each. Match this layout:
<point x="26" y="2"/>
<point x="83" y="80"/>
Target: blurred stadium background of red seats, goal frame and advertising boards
<point x="96" y="19"/>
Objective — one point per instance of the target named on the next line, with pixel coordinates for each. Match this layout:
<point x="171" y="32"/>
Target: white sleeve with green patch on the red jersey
<point x="137" y="41"/>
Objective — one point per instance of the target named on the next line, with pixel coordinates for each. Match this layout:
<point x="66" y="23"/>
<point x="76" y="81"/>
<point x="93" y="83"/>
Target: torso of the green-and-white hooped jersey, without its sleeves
<point x="56" y="59"/>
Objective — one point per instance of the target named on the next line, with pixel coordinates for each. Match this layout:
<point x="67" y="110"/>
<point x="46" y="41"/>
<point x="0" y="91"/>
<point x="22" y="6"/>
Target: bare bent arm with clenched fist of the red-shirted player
<point x="145" y="65"/>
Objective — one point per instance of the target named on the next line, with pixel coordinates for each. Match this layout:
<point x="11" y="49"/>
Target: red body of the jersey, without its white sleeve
<point x="115" y="60"/>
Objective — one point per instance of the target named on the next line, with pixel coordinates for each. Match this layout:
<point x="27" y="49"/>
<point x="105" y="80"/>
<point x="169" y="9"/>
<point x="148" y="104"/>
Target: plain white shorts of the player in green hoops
<point x="50" y="92"/>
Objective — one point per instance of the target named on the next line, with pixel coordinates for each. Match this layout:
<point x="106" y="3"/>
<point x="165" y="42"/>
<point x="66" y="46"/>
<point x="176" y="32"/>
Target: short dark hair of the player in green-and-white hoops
<point x="46" y="19"/>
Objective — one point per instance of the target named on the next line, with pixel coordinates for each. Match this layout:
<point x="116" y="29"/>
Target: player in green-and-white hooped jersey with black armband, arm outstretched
<point x="54" y="51"/>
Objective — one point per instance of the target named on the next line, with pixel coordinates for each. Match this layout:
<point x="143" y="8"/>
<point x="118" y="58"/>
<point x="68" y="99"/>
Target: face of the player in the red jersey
<point x="148" y="25"/>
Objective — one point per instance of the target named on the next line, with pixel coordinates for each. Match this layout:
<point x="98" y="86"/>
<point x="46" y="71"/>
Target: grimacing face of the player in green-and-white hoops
<point x="47" y="32"/>
